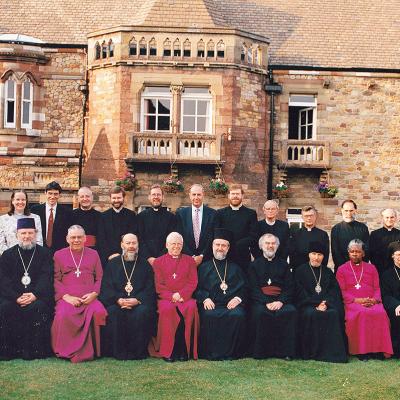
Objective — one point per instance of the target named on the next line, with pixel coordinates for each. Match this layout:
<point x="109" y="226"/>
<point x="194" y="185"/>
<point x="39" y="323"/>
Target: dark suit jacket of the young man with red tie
<point x="62" y="221"/>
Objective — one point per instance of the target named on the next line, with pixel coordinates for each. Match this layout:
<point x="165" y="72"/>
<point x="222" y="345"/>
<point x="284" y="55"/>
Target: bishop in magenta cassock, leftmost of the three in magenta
<point x="75" y="333"/>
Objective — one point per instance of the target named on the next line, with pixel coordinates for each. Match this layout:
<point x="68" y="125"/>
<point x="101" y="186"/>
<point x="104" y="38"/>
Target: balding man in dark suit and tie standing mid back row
<point x="196" y="225"/>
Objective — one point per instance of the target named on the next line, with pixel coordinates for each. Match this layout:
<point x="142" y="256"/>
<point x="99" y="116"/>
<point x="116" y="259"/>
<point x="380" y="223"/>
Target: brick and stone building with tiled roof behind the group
<point x="89" y="89"/>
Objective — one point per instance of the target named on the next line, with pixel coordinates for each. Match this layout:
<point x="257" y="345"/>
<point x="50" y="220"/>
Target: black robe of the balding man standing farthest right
<point x="378" y="246"/>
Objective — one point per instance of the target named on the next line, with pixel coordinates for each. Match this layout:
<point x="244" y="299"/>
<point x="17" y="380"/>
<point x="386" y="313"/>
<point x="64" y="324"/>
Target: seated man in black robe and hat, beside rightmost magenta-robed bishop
<point x="321" y="315"/>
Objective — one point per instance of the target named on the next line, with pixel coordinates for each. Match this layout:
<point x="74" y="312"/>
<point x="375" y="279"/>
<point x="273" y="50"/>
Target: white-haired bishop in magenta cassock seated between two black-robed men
<point x="175" y="276"/>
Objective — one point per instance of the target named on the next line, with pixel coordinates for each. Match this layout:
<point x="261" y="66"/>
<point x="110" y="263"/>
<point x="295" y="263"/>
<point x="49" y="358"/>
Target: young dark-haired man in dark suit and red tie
<point x="55" y="218"/>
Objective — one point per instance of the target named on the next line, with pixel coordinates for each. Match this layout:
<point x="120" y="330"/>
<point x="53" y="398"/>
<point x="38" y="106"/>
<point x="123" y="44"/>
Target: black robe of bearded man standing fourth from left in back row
<point x="113" y="225"/>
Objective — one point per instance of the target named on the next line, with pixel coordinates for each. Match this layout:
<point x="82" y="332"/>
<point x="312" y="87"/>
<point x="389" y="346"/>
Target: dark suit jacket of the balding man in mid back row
<point x="185" y="228"/>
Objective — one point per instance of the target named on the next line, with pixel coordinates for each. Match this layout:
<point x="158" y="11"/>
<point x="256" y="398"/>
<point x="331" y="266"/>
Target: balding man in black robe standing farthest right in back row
<point x="380" y="240"/>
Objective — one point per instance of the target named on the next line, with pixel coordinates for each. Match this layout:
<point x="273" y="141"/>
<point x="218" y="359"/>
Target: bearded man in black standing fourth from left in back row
<point x="115" y="222"/>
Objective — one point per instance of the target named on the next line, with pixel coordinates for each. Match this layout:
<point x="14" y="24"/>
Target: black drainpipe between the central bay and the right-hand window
<point x="272" y="89"/>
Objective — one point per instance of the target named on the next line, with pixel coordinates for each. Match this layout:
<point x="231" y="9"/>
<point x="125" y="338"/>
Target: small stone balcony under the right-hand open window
<point x="305" y="154"/>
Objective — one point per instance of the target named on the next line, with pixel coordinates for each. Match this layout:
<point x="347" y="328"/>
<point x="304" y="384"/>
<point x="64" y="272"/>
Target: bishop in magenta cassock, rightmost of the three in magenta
<point x="367" y="325"/>
